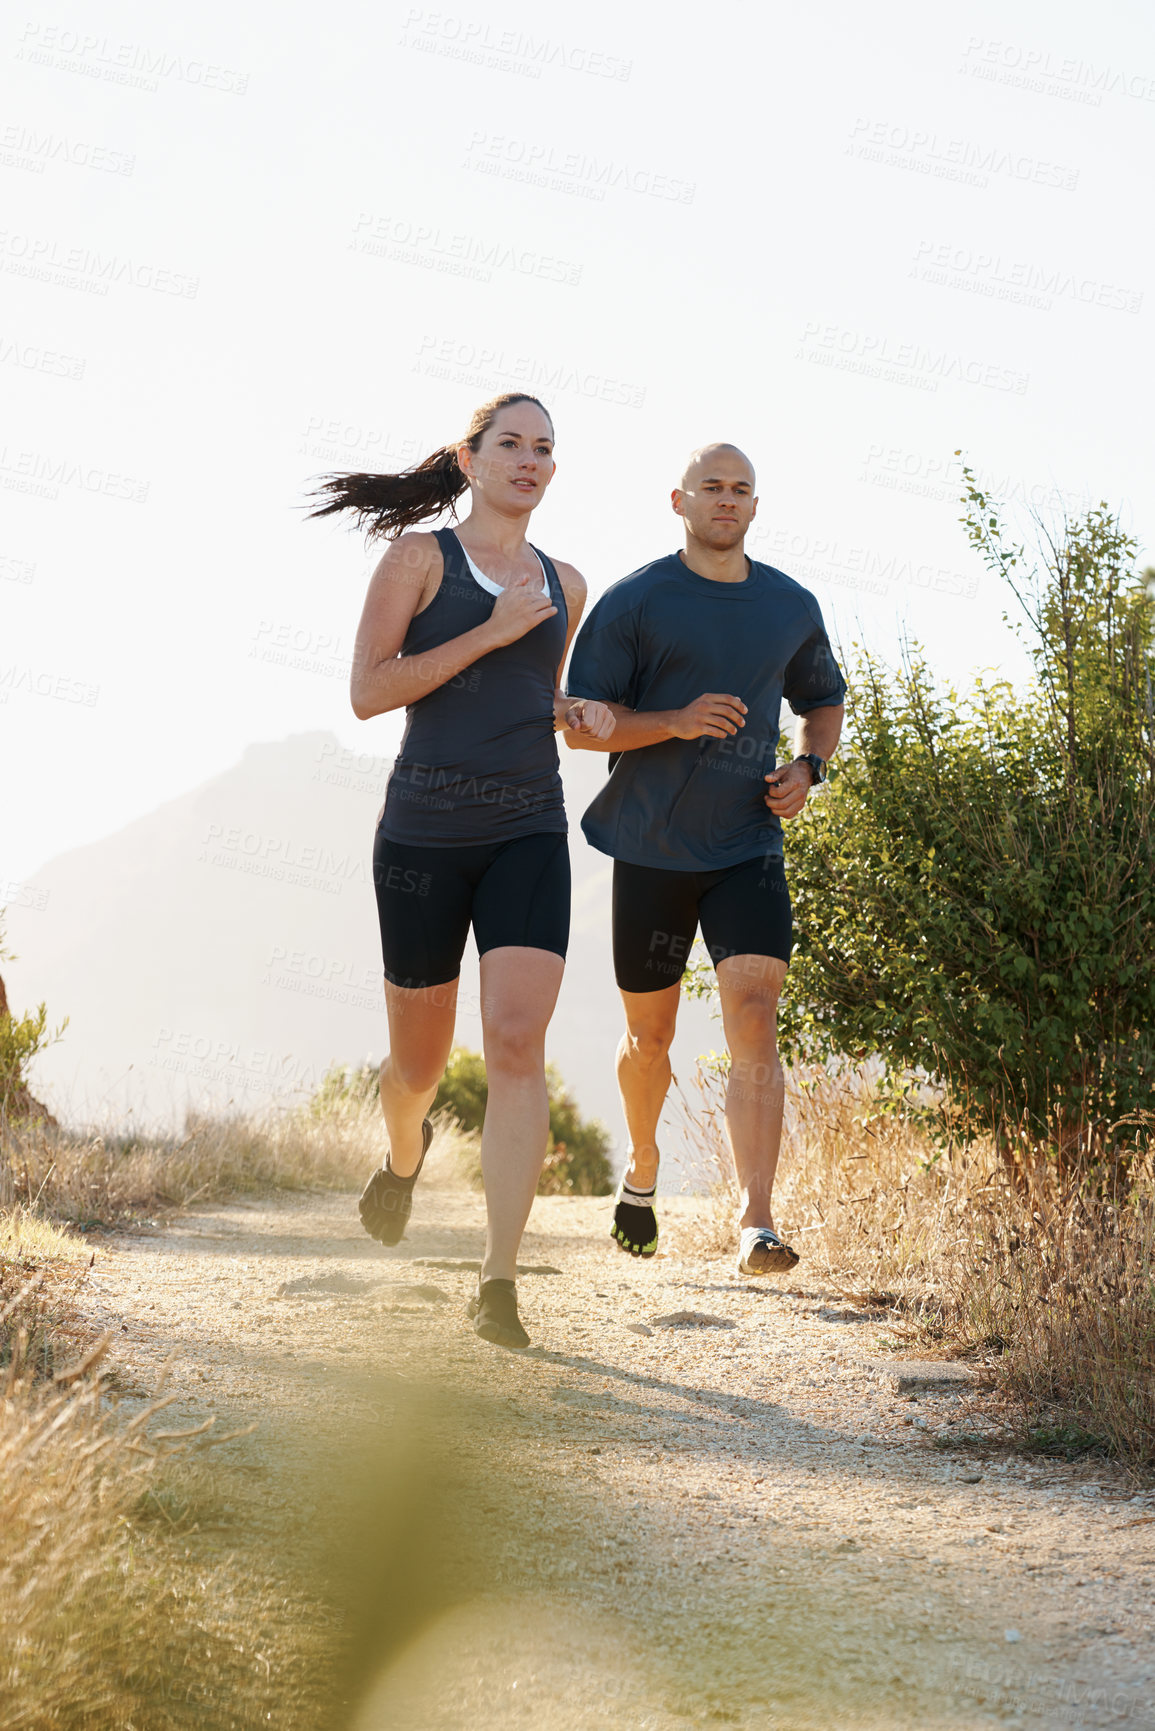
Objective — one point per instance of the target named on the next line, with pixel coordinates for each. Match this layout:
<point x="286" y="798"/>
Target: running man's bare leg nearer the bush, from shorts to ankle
<point x="749" y="988"/>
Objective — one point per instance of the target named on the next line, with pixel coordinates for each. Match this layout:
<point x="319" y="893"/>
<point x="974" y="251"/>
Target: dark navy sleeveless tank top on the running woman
<point x="479" y="759"/>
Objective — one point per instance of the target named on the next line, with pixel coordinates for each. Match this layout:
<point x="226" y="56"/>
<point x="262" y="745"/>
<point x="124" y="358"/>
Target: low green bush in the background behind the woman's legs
<point x="577" y="1161"/>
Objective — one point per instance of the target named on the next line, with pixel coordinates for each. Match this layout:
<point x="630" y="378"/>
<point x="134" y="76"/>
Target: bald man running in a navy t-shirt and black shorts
<point x="694" y="657"/>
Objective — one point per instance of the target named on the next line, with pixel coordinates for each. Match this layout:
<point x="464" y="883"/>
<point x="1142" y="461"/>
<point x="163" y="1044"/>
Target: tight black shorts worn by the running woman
<point x="510" y="892"/>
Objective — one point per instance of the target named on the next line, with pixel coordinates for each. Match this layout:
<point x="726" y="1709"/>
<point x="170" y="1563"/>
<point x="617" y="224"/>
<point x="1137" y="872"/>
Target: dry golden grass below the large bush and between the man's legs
<point x="1055" y="1290"/>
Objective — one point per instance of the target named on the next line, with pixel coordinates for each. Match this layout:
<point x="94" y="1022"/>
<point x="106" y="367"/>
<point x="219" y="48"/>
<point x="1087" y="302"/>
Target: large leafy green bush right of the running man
<point x="976" y="891"/>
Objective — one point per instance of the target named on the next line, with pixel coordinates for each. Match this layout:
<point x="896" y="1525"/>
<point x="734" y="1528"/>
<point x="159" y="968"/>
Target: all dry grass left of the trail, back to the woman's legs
<point x="110" y="1614"/>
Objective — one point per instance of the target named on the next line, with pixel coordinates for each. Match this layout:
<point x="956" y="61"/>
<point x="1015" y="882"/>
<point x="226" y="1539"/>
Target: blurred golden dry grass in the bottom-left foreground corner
<point x="105" y="1619"/>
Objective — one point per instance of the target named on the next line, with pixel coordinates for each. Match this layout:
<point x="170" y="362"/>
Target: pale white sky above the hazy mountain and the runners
<point x="248" y="245"/>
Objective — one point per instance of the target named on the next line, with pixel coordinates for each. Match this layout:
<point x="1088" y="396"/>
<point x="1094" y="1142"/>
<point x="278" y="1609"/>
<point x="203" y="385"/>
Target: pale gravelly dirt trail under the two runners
<point x="688" y="1522"/>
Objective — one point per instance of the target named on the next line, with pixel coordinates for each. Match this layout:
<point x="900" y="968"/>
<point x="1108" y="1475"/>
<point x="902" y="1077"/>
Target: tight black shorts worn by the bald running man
<point x="744" y="911"/>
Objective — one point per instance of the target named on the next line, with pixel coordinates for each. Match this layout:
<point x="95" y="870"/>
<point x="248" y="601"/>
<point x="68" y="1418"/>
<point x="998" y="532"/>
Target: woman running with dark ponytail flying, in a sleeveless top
<point x="468" y="631"/>
